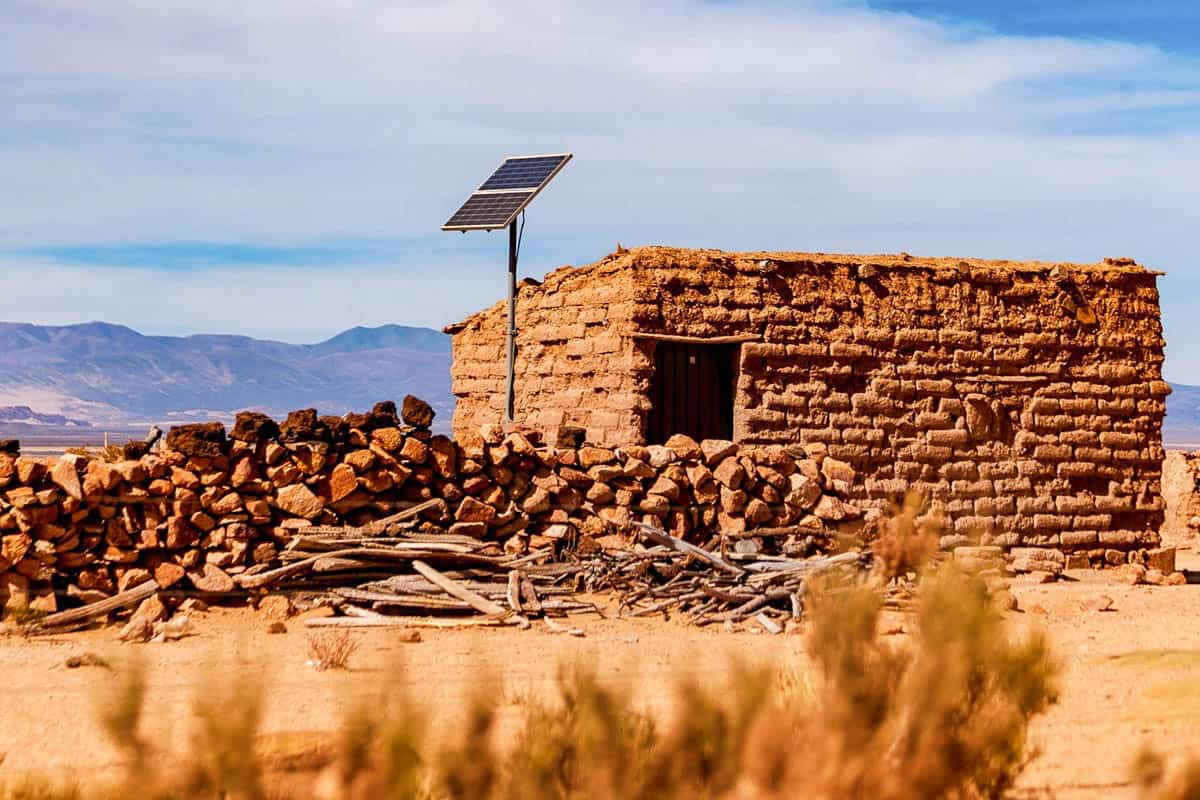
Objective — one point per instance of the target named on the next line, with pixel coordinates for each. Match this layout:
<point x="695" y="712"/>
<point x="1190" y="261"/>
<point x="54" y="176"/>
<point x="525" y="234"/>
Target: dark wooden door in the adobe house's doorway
<point x="692" y="392"/>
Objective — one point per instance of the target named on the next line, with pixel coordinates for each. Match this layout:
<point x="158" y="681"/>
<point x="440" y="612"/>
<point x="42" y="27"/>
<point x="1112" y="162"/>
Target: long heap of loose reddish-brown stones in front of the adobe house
<point x="213" y="507"/>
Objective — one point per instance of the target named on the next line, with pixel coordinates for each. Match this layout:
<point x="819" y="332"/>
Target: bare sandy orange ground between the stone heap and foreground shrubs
<point x="1132" y="678"/>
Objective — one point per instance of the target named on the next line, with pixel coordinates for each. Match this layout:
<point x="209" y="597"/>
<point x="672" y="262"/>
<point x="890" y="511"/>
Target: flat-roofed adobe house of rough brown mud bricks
<point x="1025" y="398"/>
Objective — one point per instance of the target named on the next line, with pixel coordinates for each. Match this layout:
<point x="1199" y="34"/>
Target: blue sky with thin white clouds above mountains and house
<point x="281" y="170"/>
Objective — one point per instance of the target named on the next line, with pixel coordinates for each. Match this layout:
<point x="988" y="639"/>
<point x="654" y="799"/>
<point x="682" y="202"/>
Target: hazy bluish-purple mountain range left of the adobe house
<point x="105" y="374"/>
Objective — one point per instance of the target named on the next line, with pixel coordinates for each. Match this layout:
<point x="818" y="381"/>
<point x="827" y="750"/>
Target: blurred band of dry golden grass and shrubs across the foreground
<point x="941" y="715"/>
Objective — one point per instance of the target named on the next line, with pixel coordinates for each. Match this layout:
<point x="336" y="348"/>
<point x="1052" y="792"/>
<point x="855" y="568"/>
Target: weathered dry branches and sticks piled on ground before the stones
<point x="391" y="572"/>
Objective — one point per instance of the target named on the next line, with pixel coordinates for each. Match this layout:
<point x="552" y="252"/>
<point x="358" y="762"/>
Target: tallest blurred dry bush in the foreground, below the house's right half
<point x="944" y="718"/>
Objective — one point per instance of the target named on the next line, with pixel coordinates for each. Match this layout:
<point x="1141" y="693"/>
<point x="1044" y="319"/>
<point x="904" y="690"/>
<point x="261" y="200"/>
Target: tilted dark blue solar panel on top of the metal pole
<point x="507" y="193"/>
